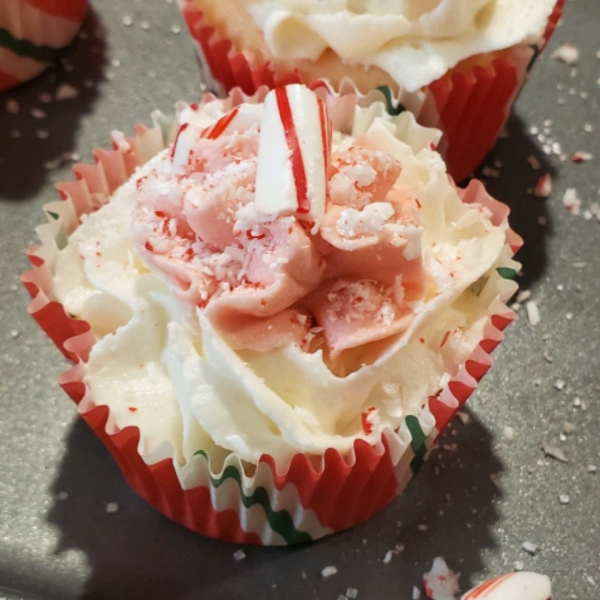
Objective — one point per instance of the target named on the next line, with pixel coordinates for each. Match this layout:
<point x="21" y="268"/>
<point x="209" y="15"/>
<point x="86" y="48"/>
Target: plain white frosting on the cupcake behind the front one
<point x="414" y="41"/>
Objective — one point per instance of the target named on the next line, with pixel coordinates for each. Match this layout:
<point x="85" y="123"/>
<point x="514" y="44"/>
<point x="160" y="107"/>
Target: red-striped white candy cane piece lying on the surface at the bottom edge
<point x="523" y="585"/>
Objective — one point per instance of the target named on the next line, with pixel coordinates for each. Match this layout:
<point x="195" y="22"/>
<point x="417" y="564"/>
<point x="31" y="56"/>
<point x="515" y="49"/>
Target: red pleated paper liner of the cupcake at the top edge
<point x="469" y="104"/>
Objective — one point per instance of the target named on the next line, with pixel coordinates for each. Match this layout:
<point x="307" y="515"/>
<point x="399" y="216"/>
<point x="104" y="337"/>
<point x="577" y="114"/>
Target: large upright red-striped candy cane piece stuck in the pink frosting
<point x="294" y="148"/>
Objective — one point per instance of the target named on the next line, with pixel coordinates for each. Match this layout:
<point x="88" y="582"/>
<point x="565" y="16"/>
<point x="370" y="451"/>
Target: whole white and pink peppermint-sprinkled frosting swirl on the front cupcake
<point x="227" y="325"/>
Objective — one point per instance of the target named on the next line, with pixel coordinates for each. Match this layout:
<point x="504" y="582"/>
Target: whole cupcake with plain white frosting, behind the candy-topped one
<point x="457" y="66"/>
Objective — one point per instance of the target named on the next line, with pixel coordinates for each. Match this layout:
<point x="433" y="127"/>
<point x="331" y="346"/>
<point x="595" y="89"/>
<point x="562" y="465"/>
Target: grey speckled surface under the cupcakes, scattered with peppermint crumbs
<point x="489" y="487"/>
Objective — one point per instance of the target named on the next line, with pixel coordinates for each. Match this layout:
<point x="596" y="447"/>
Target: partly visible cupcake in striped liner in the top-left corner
<point x="32" y="34"/>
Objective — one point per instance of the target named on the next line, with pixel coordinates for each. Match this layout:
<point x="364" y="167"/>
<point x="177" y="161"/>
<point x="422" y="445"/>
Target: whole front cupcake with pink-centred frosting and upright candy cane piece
<point x="275" y="304"/>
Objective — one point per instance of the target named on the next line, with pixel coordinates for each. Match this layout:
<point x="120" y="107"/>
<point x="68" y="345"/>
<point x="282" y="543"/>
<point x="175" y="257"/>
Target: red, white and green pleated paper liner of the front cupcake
<point x="263" y="505"/>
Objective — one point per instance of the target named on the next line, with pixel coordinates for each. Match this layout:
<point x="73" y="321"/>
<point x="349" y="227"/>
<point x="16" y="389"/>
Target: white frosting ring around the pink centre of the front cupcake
<point x="162" y="365"/>
